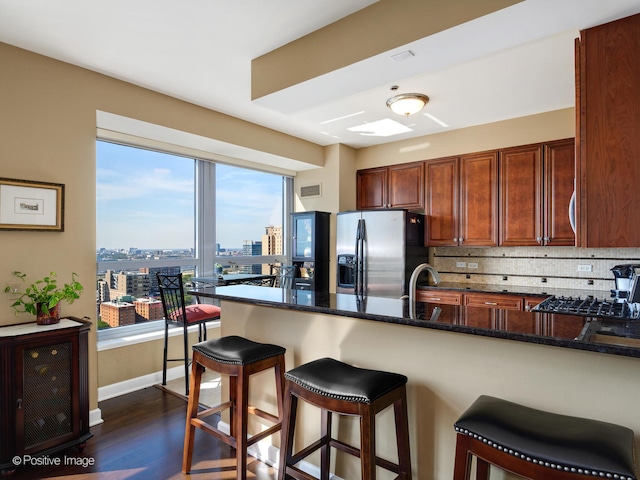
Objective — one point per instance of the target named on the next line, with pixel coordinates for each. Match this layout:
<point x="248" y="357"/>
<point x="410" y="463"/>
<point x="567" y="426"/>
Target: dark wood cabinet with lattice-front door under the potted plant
<point x="44" y="401"/>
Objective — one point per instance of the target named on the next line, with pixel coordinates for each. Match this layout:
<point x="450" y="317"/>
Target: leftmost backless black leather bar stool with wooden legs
<point x="239" y="358"/>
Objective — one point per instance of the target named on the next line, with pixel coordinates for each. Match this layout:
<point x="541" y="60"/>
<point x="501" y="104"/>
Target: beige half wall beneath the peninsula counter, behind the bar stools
<point x="447" y="372"/>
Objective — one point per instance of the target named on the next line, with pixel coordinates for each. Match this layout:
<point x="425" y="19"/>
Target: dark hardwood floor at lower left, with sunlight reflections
<point x="141" y="439"/>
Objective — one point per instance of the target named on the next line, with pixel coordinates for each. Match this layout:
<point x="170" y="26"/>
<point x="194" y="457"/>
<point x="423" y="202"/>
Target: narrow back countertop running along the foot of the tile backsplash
<point x="517" y="290"/>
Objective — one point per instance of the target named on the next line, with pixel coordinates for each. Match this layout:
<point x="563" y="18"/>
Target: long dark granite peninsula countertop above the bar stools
<point x="617" y="337"/>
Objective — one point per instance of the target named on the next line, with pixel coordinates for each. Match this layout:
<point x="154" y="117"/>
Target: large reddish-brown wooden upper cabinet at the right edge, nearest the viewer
<point x="608" y="111"/>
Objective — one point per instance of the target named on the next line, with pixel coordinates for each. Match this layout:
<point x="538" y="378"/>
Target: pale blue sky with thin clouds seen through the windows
<point x="145" y="200"/>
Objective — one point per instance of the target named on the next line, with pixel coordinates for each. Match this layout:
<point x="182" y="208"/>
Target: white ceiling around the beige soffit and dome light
<point x="515" y="62"/>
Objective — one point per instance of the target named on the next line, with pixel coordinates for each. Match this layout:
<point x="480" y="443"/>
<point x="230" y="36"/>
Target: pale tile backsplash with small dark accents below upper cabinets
<point x="551" y="267"/>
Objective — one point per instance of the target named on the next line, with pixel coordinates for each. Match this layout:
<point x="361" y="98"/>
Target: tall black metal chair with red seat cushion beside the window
<point x="177" y="313"/>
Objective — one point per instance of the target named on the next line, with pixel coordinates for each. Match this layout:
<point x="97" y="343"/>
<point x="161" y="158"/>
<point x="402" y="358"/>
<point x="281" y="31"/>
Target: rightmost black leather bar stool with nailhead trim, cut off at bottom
<point x="539" y="445"/>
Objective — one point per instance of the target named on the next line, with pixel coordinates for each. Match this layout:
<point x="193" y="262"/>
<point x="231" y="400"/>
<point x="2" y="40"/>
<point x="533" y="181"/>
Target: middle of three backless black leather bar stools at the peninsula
<point x="336" y="387"/>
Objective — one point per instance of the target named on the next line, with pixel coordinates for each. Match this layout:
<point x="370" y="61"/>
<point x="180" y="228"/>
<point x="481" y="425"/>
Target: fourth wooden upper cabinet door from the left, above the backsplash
<point x="479" y="199"/>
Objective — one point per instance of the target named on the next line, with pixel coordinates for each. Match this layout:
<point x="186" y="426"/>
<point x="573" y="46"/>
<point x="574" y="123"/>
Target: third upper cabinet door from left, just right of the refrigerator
<point x="441" y="202"/>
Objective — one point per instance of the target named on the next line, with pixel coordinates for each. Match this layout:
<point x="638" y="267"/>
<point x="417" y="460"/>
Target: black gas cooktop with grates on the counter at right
<point x="589" y="307"/>
